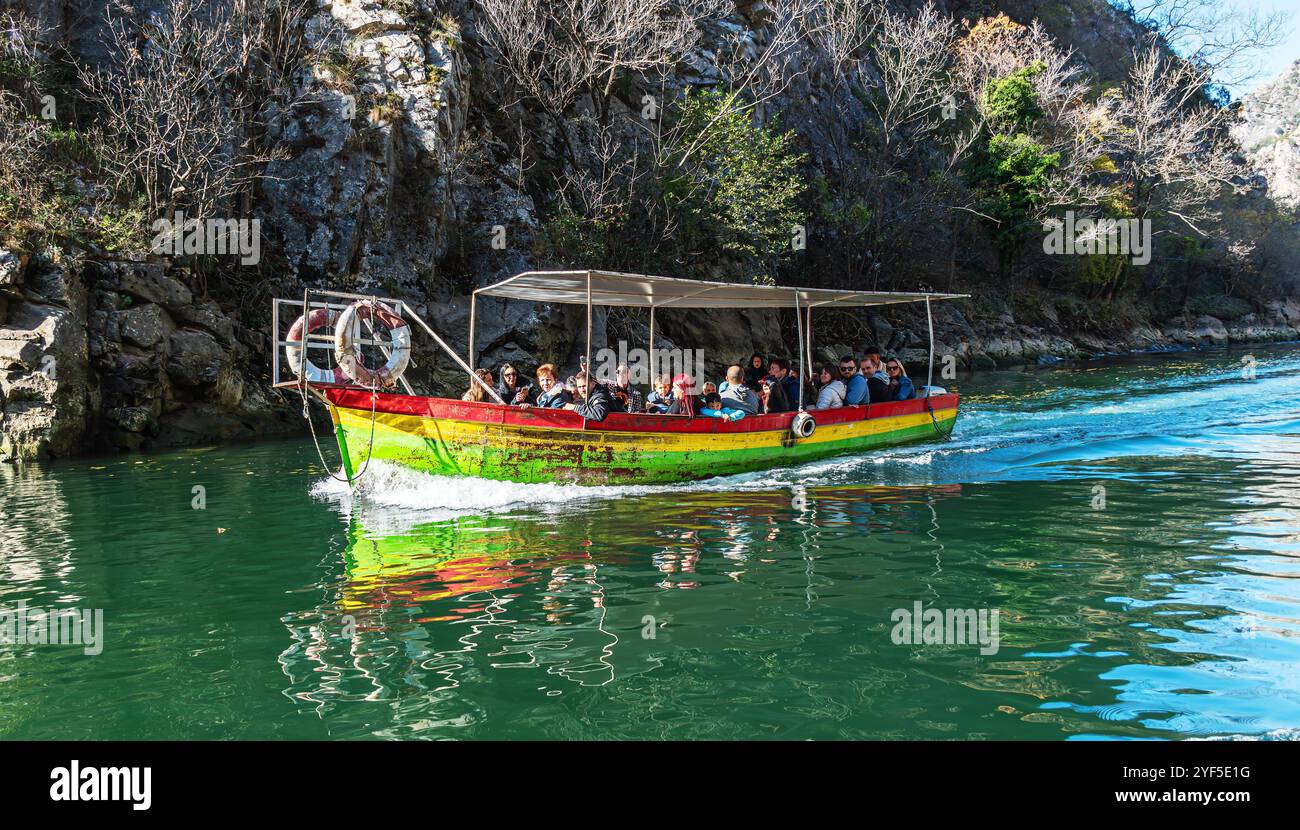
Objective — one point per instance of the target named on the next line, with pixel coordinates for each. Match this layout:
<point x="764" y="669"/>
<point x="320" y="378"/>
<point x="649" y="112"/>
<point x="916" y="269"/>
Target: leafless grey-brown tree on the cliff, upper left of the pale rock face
<point x="180" y="101"/>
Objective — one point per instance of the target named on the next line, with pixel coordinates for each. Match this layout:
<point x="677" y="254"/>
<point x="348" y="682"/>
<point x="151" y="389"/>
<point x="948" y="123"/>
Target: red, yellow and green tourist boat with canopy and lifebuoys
<point x="374" y="420"/>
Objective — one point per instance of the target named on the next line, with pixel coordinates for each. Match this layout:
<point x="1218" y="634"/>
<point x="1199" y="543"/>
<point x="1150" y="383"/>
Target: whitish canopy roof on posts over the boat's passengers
<point x="609" y="288"/>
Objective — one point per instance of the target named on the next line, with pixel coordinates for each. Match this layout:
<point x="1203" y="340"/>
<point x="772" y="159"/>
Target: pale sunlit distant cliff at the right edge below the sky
<point x="1271" y="135"/>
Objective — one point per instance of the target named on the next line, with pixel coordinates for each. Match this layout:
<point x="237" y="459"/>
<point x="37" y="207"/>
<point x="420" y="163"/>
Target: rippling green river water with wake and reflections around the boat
<point x="435" y="608"/>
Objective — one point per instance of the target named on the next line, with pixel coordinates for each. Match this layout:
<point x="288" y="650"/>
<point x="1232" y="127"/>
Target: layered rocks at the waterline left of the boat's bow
<point x="119" y="356"/>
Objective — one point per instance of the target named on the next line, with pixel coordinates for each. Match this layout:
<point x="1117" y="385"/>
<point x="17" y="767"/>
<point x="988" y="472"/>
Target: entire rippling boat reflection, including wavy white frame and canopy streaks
<point x="435" y="604"/>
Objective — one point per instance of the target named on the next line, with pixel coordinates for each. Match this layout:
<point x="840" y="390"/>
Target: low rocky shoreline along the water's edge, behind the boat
<point x="111" y="357"/>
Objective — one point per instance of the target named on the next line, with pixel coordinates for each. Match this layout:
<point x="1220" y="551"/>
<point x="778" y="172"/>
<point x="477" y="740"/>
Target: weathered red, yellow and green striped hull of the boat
<point x="535" y="446"/>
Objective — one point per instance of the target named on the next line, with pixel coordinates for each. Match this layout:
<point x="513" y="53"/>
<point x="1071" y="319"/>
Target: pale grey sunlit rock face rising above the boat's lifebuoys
<point x="363" y="196"/>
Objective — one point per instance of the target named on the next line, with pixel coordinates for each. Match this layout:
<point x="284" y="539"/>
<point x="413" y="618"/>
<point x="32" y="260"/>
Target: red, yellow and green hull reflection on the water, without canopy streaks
<point x="426" y="564"/>
